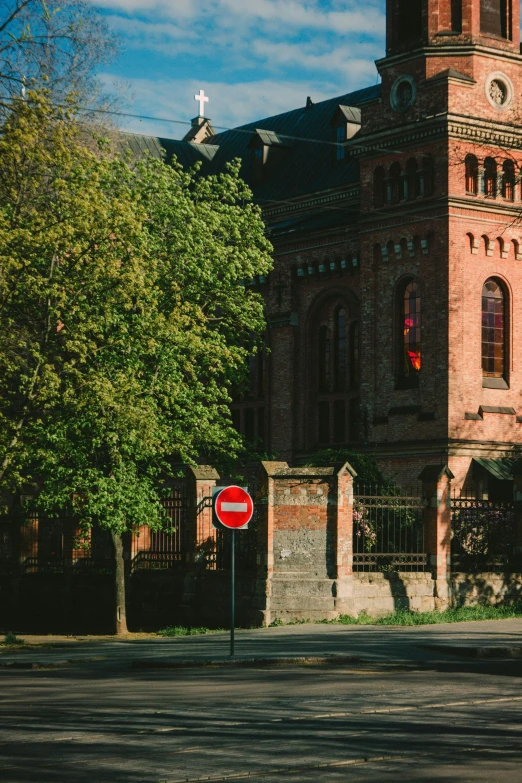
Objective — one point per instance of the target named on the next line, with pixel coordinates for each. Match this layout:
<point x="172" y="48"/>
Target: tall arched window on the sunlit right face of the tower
<point x="493" y="330"/>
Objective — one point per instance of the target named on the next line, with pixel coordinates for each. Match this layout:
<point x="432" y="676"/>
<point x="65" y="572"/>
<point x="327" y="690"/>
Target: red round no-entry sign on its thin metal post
<point x="232" y="509"/>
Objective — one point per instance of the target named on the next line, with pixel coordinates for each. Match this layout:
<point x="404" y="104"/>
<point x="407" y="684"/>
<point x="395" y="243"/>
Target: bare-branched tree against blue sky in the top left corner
<point x="59" y="42"/>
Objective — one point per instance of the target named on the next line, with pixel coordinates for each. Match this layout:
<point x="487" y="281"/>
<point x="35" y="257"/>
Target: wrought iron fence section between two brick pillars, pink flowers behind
<point x="388" y="532"/>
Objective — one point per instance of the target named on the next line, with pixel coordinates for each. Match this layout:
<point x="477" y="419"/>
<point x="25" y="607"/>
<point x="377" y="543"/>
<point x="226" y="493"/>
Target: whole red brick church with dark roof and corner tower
<point x="394" y="319"/>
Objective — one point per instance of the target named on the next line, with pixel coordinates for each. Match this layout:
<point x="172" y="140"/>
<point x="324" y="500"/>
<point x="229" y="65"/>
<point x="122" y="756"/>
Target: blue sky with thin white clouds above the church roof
<point x="253" y="58"/>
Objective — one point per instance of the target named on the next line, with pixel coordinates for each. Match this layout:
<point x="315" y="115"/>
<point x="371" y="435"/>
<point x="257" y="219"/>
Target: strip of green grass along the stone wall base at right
<point x="458" y="615"/>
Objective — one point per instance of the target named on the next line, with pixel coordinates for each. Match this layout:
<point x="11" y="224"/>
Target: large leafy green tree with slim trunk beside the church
<point x="126" y="320"/>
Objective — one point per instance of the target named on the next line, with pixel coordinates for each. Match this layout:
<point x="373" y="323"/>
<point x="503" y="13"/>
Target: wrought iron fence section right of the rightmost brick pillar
<point x="483" y="534"/>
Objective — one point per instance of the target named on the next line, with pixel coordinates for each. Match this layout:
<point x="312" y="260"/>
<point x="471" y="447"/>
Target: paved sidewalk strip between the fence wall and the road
<point x="373" y="644"/>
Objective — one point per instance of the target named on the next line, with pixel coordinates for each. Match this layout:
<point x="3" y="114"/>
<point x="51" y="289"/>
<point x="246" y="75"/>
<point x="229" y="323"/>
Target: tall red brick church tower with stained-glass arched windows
<point x="440" y="233"/>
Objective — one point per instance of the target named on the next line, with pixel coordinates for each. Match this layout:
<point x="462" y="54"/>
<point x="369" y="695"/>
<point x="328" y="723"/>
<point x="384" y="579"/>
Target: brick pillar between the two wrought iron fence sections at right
<point x="436" y="489"/>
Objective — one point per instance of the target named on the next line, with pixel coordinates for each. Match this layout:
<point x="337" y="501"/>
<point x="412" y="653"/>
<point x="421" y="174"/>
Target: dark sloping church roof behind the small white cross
<point x="303" y="136"/>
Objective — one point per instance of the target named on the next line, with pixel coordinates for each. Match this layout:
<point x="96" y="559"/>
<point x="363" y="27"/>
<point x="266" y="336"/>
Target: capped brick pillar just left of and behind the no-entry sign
<point x="201" y="536"/>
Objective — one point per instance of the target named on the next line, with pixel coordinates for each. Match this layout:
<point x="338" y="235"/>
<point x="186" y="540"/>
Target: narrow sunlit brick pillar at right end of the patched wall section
<point x="344" y="597"/>
